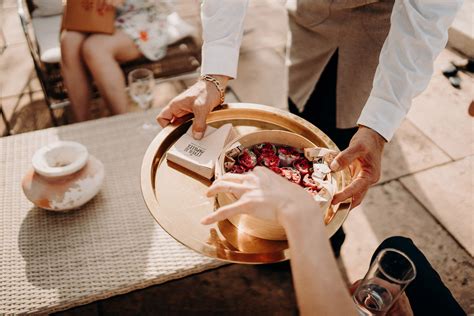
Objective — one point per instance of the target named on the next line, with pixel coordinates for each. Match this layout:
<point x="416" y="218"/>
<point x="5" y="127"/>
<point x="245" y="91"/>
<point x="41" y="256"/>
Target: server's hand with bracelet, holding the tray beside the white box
<point x="200" y="99"/>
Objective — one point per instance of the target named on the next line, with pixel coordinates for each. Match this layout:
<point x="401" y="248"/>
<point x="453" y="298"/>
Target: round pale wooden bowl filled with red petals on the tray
<point x="252" y="225"/>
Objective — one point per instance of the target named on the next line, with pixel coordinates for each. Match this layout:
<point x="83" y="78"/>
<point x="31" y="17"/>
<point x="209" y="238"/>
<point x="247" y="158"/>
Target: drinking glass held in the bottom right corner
<point x="387" y="278"/>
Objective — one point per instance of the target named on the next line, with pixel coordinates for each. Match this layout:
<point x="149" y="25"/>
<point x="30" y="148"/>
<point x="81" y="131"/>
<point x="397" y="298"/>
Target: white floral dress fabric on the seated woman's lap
<point x="145" y="22"/>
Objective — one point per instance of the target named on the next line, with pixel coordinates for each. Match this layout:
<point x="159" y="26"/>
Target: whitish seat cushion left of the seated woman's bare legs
<point x="47" y="31"/>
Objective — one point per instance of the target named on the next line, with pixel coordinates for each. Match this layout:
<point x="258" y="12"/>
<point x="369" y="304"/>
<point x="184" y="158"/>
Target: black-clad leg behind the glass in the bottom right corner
<point x="427" y="293"/>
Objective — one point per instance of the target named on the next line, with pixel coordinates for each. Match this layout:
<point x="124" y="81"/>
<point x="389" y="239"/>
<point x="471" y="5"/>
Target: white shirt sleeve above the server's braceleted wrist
<point x="223" y="26"/>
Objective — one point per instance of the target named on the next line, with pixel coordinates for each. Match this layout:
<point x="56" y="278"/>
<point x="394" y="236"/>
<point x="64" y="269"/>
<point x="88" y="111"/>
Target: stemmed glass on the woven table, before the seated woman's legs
<point x="141" y="84"/>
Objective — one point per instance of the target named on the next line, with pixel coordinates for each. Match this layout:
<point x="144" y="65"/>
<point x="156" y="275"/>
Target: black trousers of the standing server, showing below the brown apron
<point x="320" y="110"/>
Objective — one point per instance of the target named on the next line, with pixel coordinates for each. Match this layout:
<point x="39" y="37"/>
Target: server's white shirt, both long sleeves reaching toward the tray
<point x="418" y="33"/>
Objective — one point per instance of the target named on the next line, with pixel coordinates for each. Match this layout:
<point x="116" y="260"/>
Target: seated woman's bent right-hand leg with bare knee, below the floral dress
<point x="103" y="55"/>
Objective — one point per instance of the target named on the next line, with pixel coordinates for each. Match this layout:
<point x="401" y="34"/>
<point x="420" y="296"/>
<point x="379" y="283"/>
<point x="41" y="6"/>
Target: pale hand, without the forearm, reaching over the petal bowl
<point x="264" y="194"/>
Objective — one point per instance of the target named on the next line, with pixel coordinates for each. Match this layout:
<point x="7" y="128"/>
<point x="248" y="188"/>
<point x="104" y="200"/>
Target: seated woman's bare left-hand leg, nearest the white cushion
<point x="74" y="73"/>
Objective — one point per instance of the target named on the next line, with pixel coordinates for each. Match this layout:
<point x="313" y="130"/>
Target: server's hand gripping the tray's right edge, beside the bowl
<point x="364" y="156"/>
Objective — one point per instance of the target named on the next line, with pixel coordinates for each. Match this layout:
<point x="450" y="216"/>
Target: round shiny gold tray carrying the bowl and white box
<point x="176" y="198"/>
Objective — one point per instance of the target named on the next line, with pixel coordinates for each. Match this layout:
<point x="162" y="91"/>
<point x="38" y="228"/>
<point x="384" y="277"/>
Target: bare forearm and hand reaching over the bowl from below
<point x="319" y="286"/>
